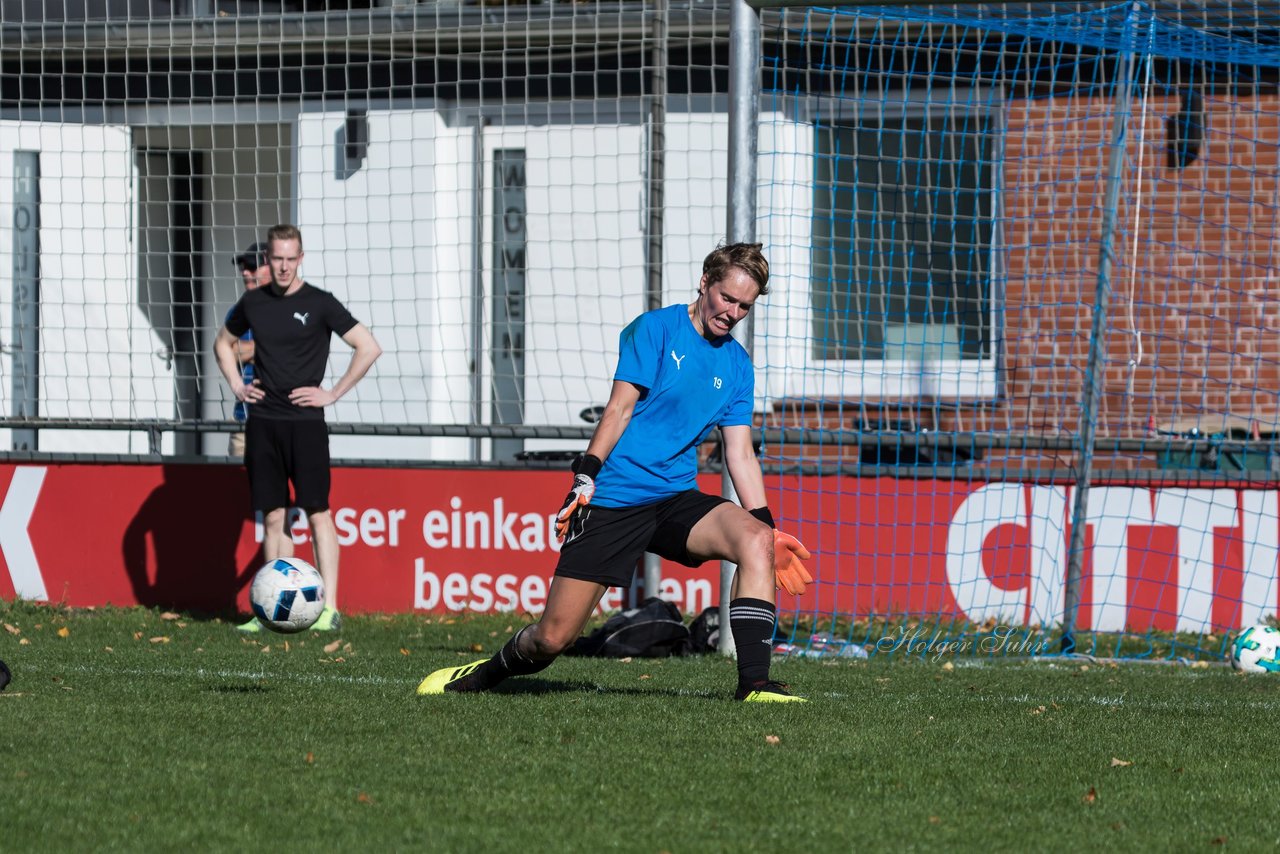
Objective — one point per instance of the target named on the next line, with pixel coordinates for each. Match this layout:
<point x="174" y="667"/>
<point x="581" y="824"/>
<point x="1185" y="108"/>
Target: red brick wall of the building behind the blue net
<point x="1194" y="334"/>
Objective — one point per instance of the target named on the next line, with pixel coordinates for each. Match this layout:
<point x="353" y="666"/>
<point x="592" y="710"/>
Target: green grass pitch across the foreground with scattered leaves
<point x="145" y="732"/>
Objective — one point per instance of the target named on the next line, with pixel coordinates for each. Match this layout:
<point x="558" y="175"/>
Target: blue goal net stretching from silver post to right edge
<point x="1028" y="263"/>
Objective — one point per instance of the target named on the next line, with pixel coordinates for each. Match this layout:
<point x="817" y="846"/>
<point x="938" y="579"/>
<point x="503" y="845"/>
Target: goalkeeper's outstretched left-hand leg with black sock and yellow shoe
<point x="532" y="650"/>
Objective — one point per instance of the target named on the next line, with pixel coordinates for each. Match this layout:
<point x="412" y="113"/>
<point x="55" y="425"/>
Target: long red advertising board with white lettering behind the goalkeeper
<point x="456" y="540"/>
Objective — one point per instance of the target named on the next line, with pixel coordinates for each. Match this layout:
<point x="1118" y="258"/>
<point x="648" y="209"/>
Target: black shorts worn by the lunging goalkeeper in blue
<point x="606" y="544"/>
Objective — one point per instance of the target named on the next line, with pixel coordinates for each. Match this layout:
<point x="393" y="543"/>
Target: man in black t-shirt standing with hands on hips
<point x="287" y="441"/>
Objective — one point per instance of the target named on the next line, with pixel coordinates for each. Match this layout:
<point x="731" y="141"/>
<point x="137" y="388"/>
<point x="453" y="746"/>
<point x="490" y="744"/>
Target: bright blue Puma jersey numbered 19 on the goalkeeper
<point x="689" y="386"/>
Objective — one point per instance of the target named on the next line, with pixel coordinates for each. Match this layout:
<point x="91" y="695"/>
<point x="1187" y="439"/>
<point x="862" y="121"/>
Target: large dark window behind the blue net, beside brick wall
<point x="904" y="239"/>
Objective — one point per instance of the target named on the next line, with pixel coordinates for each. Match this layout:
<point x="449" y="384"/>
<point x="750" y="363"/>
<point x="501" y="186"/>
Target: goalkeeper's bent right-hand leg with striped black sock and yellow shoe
<point x="733" y="535"/>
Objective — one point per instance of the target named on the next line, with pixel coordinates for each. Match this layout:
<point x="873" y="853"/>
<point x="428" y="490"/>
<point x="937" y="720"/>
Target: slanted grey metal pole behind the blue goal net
<point x="1095" y="368"/>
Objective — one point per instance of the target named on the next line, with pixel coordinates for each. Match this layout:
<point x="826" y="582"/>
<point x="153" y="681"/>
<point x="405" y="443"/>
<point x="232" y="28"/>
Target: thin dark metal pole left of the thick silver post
<point x="657" y="207"/>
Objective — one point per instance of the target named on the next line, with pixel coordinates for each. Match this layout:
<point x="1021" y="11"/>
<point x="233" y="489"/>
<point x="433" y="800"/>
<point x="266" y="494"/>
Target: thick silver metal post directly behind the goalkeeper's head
<point x="744" y="111"/>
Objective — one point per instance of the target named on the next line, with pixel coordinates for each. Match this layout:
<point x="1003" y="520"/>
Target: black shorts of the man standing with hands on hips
<point x="278" y="453"/>
